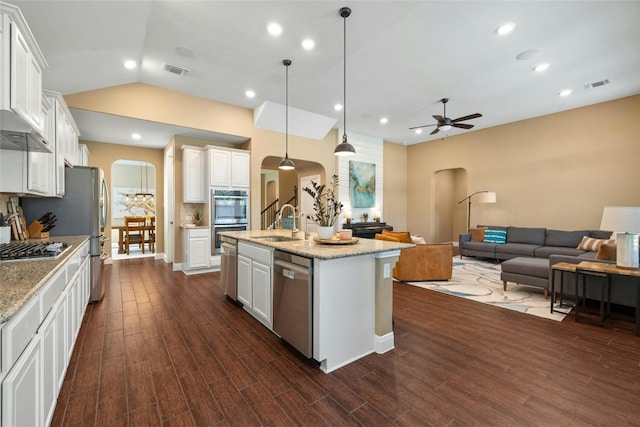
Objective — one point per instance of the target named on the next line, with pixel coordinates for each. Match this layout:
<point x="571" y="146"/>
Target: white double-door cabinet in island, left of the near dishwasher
<point x="255" y="281"/>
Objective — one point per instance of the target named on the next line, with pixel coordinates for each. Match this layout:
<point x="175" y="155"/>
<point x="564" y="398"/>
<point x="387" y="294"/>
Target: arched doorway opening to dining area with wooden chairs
<point x="133" y="193"/>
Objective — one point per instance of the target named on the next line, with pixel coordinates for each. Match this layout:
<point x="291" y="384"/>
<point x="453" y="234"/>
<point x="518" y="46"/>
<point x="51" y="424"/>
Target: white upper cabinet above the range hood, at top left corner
<point x="21" y="73"/>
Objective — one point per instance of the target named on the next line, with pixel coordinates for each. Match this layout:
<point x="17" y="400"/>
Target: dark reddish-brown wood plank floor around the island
<point x="166" y="349"/>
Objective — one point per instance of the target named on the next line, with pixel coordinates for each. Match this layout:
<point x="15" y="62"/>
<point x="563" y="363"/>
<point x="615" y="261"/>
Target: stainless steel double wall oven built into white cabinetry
<point x="229" y="212"/>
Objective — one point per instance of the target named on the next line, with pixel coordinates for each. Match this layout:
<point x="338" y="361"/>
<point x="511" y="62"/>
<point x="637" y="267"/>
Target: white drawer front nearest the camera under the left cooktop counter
<point x="17" y="333"/>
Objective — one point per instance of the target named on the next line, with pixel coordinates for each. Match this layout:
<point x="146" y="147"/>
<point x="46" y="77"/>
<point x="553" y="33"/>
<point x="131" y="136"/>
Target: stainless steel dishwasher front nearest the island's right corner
<point x="293" y="300"/>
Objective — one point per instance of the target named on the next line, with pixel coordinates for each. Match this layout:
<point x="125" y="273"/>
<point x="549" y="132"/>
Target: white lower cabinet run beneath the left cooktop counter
<point x="30" y="388"/>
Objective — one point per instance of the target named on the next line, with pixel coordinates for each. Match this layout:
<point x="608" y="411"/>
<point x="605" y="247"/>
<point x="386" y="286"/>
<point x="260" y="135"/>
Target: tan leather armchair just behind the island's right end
<point x="424" y="262"/>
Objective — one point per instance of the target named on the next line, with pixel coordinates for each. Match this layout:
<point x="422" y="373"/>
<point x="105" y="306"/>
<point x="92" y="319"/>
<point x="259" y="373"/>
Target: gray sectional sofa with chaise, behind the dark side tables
<point x="555" y="246"/>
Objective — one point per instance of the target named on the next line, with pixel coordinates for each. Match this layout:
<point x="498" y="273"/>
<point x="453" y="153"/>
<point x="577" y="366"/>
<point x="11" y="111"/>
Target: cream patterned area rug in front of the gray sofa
<point x="480" y="281"/>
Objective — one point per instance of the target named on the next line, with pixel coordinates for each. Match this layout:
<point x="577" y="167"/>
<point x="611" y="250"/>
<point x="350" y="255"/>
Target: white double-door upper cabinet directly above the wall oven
<point x="228" y="167"/>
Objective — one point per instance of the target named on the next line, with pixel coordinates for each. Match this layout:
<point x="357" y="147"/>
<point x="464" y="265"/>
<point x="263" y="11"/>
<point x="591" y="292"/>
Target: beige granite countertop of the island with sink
<point x="312" y="249"/>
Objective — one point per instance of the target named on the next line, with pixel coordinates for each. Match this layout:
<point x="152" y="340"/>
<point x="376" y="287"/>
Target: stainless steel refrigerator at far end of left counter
<point x="84" y="210"/>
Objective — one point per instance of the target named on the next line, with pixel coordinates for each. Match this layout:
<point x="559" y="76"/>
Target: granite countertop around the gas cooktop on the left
<point x="20" y="280"/>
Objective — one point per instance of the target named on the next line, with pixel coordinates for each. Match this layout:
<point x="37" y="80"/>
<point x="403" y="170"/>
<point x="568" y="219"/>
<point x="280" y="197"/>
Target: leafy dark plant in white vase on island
<point x="326" y="207"/>
